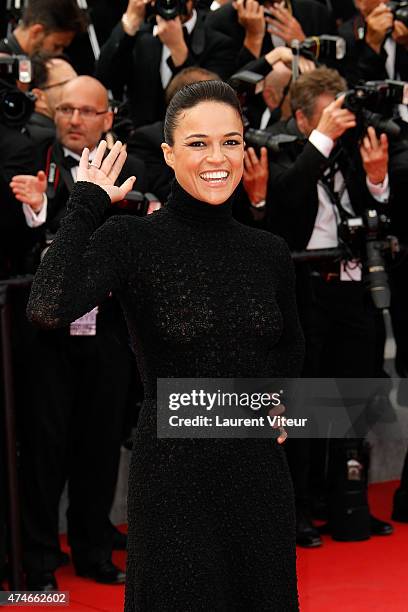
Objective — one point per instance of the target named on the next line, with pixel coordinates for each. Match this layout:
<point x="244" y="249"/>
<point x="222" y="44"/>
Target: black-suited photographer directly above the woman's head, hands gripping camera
<point x="144" y="57"/>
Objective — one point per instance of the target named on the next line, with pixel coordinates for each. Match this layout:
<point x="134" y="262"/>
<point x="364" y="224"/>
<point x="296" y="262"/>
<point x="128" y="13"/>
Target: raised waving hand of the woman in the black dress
<point x="104" y="172"/>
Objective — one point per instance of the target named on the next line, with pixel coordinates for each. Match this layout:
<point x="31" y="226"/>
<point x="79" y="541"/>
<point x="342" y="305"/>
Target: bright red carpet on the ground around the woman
<point x="367" y="576"/>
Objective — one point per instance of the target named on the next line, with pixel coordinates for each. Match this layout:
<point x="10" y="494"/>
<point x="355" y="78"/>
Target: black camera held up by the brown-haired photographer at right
<point x="372" y="103"/>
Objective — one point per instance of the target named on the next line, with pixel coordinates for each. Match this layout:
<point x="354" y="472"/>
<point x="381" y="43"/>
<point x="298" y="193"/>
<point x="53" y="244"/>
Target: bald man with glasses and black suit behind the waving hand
<point x="73" y="423"/>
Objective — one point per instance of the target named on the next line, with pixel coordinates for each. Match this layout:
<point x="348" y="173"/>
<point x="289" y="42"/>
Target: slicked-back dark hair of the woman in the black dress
<point x="191" y="95"/>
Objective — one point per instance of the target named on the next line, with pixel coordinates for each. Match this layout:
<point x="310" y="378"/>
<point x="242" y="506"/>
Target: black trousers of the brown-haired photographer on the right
<point x="339" y="323"/>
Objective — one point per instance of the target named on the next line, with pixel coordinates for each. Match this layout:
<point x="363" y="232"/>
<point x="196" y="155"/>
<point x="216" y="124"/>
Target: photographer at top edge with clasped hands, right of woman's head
<point x="253" y="34"/>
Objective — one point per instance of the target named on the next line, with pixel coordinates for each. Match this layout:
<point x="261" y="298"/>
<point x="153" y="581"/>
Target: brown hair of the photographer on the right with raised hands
<point x="310" y="85"/>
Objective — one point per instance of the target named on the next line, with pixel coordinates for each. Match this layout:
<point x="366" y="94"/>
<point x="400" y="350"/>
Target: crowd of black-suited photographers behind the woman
<point x="323" y="92"/>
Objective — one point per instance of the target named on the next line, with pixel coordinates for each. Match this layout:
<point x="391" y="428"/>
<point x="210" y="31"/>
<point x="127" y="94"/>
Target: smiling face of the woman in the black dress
<point x="207" y="155"/>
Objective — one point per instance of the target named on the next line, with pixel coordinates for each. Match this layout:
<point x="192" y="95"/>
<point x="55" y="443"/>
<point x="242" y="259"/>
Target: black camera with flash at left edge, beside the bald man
<point x="15" y="106"/>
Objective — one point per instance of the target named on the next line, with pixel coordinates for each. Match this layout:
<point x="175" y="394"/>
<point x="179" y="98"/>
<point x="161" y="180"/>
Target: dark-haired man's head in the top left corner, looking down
<point x="47" y="26"/>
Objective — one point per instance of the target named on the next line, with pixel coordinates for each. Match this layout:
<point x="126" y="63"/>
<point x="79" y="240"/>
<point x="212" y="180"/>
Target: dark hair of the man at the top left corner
<point x="55" y="15"/>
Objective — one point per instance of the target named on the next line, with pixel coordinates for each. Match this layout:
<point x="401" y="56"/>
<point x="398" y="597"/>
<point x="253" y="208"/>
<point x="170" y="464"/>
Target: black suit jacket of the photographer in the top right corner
<point x="361" y="62"/>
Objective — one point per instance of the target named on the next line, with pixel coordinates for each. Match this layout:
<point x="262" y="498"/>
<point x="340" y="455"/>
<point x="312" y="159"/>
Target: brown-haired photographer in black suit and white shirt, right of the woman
<point x="310" y="190"/>
